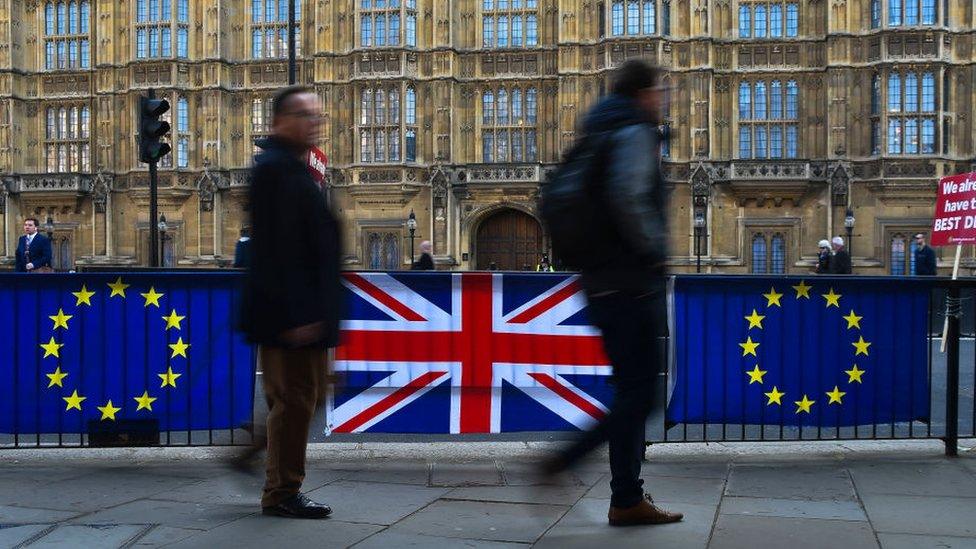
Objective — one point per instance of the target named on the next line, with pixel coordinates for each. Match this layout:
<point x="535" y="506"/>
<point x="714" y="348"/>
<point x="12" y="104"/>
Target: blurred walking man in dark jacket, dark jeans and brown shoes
<point x="625" y="286"/>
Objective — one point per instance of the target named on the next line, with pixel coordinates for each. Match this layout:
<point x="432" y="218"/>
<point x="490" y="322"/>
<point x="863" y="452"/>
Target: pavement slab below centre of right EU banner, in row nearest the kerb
<point x="795" y="481"/>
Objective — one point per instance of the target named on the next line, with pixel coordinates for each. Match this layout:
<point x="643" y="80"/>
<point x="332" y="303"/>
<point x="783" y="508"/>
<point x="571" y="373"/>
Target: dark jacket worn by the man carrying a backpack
<point x="631" y="191"/>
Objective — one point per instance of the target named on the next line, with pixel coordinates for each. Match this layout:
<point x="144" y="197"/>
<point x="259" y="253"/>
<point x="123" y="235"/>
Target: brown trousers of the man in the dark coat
<point x="295" y="386"/>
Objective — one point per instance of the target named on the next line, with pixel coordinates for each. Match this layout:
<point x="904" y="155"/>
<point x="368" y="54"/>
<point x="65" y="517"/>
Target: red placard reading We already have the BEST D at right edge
<point x="955" y="211"/>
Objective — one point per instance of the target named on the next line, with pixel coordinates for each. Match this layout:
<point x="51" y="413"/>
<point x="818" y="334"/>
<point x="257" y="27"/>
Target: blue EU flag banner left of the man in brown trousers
<point x="76" y="348"/>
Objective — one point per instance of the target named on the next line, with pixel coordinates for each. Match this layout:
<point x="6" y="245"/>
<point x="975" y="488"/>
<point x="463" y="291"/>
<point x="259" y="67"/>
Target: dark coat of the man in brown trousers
<point x="293" y="278"/>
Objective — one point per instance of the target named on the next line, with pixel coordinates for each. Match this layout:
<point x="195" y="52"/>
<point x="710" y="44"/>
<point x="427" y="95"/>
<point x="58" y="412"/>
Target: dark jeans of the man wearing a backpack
<point x="630" y="325"/>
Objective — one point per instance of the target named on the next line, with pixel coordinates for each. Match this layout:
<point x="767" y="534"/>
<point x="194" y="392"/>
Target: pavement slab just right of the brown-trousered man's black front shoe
<point x="374" y="503"/>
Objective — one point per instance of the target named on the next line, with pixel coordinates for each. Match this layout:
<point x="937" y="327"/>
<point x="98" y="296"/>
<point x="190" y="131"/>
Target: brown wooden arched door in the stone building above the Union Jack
<point x="509" y="240"/>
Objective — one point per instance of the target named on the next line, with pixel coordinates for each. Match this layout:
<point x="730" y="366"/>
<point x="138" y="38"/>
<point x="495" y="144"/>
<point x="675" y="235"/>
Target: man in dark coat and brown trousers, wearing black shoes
<point x="291" y="295"/>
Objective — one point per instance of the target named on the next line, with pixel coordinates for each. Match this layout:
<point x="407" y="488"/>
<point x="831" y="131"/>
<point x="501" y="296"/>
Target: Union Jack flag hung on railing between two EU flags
<point x="467" y="353"/>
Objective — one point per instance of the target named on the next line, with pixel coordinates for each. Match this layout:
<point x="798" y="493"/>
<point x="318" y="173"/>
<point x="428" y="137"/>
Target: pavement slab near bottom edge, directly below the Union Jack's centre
<point x="489" y="521"/>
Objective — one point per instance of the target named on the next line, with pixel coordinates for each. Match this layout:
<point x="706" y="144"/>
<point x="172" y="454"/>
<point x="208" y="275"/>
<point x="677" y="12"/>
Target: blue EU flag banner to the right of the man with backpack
<point x="826" y="352"/>
